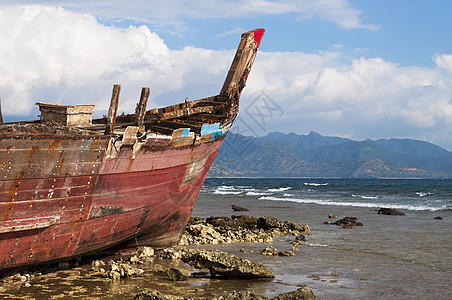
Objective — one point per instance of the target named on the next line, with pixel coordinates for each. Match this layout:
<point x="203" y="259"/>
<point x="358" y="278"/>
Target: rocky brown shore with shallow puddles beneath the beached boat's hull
<point x="164" y="268"/>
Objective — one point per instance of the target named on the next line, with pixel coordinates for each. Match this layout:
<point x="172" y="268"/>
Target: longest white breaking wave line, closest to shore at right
<point x="419" y="207"/>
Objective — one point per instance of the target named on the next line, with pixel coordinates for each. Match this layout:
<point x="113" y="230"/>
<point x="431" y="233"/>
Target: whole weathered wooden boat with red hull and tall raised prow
<point x="70" y="185"/>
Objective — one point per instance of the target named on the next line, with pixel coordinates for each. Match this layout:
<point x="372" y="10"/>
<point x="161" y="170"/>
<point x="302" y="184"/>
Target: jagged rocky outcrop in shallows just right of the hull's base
<point x="222" y="230"/>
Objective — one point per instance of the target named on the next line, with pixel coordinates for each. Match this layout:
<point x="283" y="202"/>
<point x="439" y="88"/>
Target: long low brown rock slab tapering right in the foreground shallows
<point x="226" y="265"/>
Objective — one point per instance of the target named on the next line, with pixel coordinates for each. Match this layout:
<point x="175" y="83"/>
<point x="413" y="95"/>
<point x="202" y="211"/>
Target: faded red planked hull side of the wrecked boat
<point x="98" y="202"/>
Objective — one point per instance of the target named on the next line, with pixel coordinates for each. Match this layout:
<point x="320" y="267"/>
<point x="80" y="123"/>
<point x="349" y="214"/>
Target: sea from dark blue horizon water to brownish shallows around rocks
<point x="389" y="257"/>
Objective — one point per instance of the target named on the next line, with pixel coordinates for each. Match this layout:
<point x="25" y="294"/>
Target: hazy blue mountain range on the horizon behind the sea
<point x="314" y="155"/>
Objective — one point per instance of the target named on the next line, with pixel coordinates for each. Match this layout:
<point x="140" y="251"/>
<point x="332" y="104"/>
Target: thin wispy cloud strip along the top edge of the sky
<point x="175" y="13"/>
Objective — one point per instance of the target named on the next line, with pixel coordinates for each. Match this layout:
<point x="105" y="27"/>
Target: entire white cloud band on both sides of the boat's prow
<point x="55" y="55"/>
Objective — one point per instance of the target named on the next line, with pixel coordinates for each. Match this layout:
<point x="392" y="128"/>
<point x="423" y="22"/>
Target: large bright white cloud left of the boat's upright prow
<point x="61" y="56"/>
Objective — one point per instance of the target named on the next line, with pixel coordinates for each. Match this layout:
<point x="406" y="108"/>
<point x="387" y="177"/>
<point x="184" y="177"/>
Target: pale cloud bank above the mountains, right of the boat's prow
<point x="366" y="98"/>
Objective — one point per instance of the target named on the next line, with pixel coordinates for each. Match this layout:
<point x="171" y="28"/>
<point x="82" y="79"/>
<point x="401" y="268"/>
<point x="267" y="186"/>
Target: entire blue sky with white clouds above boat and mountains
<point x="352" y="68"/>
